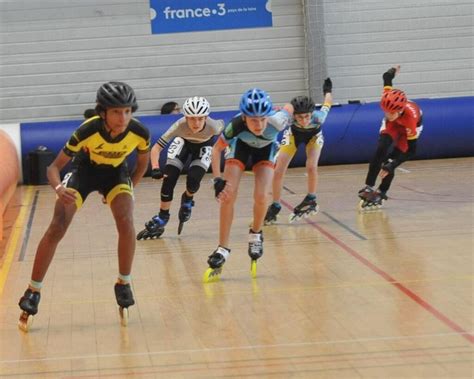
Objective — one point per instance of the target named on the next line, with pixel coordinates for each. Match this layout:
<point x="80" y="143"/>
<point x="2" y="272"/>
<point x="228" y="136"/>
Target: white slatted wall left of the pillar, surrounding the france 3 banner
<point x="54" y="54"/>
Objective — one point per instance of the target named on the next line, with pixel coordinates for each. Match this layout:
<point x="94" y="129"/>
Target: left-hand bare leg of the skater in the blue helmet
<point x="232" y="174"/>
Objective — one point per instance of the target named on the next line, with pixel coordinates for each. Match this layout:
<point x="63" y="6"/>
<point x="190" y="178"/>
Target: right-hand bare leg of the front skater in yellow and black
<point x="122" y="210"/>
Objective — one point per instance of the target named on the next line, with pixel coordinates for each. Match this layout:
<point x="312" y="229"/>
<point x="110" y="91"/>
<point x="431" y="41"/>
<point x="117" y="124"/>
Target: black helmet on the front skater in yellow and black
<point x="116" y="95"/>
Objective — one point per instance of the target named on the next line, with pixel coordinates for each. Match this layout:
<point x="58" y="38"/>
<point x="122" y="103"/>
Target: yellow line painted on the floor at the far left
<point x="15" y="237"/>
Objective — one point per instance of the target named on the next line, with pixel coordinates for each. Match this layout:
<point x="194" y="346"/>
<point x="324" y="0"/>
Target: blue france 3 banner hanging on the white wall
<point x="176" y="16"/>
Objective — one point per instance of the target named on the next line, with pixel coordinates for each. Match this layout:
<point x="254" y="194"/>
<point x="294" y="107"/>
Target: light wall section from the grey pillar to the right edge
<point x="431" y="39"/>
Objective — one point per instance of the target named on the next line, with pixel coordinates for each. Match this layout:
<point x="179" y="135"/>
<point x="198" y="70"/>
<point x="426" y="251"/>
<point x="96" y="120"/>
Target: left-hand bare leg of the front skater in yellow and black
<point x="62" y="217"/>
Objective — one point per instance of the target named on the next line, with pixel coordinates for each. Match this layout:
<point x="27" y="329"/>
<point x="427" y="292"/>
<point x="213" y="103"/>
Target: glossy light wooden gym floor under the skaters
<point x="386" y="294"/>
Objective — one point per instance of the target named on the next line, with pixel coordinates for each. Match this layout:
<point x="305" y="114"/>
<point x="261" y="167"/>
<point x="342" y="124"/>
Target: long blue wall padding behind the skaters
<point x="350" y="132"/>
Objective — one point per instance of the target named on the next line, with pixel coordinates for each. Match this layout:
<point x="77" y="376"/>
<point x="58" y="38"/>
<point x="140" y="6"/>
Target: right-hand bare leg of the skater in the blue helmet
<point x="263" y="182"/>
